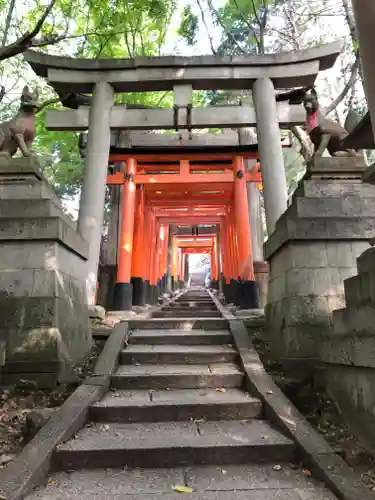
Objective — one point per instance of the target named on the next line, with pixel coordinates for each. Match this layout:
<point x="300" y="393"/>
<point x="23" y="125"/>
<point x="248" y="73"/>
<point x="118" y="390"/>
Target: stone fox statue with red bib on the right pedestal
<point x="324" y="133"/>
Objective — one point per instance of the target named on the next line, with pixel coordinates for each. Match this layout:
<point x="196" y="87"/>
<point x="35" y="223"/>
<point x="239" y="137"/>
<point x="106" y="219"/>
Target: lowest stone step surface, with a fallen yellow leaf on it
<point x="201" y="479"/>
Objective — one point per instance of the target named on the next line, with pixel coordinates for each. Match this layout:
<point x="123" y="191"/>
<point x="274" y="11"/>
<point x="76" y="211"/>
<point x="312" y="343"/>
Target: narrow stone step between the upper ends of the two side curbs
<point x="179" y="324"/>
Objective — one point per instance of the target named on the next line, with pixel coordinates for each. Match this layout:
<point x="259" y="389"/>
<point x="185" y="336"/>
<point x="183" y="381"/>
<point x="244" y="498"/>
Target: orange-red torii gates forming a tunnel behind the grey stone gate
<point x="183" y="189"/>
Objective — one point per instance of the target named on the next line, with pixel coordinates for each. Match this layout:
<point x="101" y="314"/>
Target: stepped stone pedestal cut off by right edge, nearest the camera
<point x="349" y="355"/>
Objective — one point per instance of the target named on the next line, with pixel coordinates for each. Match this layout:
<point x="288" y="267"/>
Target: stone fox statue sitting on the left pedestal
<point x="19" y="132"/>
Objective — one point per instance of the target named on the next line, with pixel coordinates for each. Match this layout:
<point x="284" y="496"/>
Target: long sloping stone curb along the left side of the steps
<point x="33" y="463"/>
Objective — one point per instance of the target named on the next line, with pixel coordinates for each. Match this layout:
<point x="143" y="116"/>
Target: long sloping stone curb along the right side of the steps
<point x="316" y="454"/>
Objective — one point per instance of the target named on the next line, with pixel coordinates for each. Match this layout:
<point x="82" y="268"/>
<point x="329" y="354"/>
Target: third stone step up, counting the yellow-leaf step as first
<point x="177" y="405"/>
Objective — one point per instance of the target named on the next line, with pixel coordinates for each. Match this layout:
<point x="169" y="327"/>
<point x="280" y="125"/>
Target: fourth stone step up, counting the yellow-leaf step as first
<point x="219" y="375"/>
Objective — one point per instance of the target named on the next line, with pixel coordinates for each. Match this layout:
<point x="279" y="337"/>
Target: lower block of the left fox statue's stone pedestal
<point x="44" y="335"/>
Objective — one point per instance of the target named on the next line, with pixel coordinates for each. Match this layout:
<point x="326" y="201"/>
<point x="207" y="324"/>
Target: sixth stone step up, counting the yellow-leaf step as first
<point x="180" y="337"/>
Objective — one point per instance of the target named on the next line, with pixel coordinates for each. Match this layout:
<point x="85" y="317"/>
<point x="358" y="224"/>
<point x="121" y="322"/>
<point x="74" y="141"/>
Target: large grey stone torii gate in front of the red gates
<point x="103" y="78"/>
